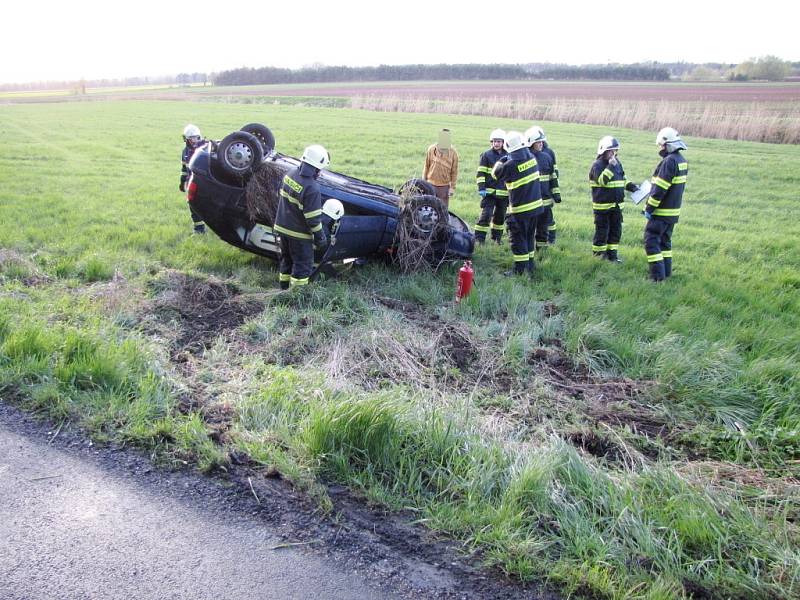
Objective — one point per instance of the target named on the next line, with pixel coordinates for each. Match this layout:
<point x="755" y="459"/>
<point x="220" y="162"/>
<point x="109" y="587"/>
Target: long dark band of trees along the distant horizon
<point x="441" y="72"/>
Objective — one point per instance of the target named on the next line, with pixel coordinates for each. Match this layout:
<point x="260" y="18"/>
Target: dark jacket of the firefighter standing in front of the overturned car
<point x="300" y="207"/>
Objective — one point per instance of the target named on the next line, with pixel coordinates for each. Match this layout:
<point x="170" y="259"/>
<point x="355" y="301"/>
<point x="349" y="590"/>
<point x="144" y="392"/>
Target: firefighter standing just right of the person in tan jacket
<point x="494" y="195"/>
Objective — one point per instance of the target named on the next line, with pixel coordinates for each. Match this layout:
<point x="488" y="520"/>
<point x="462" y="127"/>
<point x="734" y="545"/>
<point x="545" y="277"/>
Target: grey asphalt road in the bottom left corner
<point x="72" y="527"/>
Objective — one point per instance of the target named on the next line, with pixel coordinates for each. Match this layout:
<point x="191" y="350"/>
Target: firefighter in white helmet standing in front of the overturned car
<point x="299" y="218"/>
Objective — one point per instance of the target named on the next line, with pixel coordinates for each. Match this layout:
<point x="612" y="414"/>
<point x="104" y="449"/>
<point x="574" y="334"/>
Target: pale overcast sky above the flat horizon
<point x="49" y="40"/>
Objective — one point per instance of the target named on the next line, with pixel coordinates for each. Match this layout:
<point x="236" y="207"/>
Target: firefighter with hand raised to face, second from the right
<point x="607" y="178"/>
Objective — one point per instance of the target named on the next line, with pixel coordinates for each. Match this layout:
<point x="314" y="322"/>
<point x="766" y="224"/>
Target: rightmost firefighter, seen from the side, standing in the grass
<point x="664" y="204"/>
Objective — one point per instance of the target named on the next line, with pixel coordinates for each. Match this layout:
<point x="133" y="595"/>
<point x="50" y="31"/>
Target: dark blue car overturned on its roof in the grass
<point x="235" y="186"/>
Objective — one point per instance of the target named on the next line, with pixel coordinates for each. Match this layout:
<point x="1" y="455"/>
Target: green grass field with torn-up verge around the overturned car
<point x="616" y="438"/>
